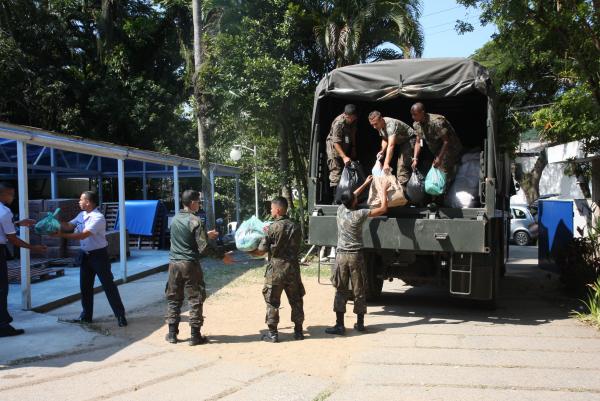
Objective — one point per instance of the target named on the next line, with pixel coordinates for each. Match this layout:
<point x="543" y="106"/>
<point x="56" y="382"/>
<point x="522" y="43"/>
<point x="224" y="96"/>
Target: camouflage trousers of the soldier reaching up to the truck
<point x="349" y="267"/>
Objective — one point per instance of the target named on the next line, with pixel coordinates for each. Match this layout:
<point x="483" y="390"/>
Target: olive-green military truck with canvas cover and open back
<point x="464" y="250"/>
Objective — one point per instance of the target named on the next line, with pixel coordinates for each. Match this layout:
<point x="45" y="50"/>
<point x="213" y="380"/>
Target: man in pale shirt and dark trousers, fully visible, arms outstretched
<point x="90" y="230"/>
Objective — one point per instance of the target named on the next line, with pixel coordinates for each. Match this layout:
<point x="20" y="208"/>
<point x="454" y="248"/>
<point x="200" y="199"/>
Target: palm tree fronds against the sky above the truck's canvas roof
<point x="351" y="31"/>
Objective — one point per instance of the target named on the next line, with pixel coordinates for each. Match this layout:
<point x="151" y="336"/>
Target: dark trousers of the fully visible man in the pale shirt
<point x="96" y="263"/>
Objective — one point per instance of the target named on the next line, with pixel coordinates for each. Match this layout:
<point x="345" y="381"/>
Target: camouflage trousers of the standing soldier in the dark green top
<point x="185" y="278"/>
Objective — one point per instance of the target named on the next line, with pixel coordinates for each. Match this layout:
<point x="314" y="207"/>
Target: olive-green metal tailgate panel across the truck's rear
<point x="435" y="235"/>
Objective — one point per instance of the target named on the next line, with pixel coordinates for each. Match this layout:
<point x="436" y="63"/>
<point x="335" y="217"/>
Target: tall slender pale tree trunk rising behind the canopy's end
<point x="203" y="139"/>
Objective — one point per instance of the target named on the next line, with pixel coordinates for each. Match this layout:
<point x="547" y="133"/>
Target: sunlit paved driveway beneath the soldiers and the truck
<point x="421" y="345"/>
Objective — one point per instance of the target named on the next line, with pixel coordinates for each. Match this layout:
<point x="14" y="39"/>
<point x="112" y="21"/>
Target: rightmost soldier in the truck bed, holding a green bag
<point x="439" y="135"/>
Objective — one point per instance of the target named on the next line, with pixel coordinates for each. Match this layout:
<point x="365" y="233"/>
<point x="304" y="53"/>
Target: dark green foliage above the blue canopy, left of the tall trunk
<point x="124" y="86"/>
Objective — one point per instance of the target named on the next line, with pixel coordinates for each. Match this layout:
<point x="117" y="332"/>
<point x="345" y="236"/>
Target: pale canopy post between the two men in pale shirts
<point x="24" y="231"/>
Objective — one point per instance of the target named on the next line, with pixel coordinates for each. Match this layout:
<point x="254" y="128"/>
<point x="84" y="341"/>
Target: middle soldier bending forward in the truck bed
<point x="394" y="133"/>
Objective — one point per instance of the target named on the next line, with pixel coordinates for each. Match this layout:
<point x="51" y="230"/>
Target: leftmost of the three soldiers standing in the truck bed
<point x="341" y="144"/>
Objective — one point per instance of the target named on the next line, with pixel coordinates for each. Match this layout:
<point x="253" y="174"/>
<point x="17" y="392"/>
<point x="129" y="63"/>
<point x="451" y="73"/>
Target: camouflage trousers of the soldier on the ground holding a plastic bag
<point x="281" y="277"/>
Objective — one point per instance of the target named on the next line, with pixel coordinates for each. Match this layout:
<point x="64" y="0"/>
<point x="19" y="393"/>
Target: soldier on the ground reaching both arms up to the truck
<point x="349" y="262"/>
